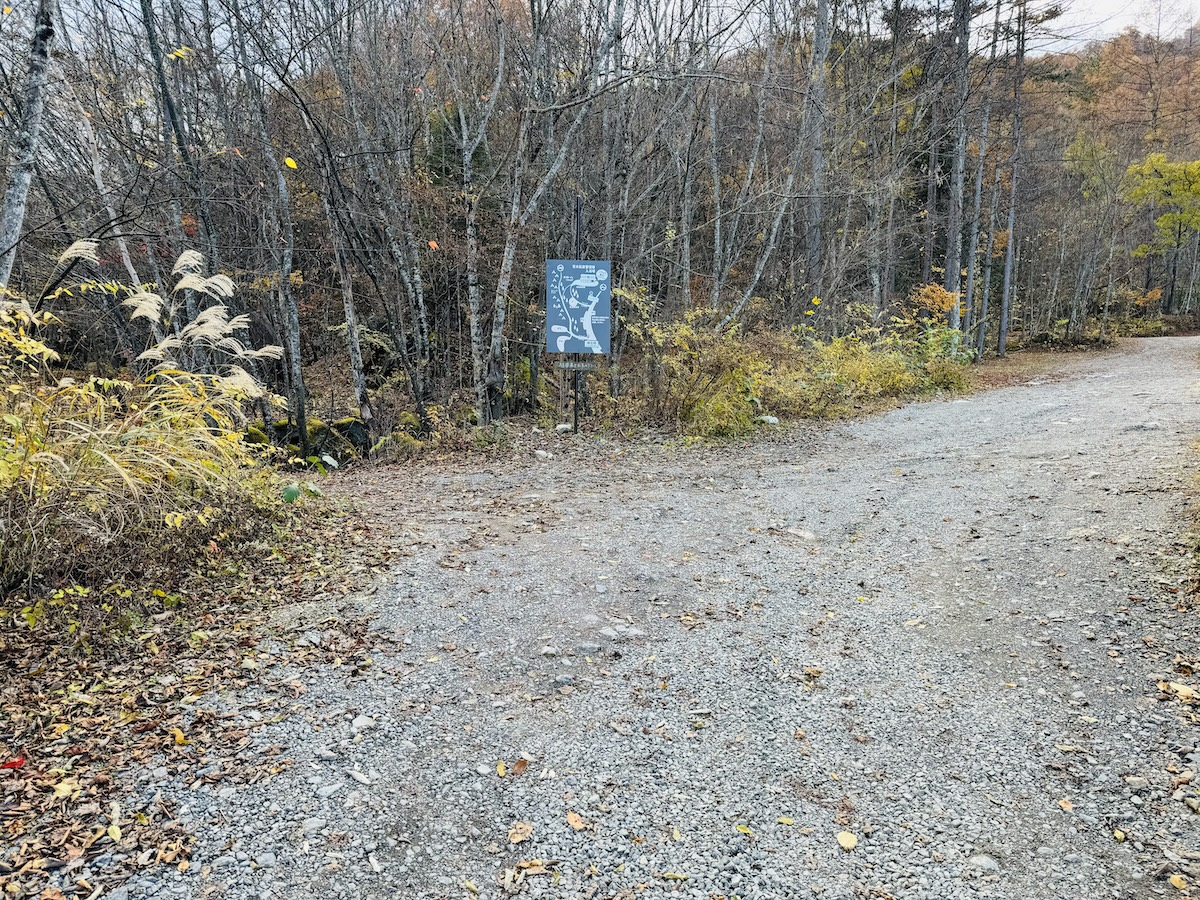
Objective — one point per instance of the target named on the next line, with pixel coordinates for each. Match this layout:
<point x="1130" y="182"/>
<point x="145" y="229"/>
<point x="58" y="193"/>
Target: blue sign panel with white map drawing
<point x="579" y="307"/>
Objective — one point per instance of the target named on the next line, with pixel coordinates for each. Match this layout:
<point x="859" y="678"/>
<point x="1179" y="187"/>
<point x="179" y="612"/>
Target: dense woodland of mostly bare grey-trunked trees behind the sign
<point x="382" y="182"/>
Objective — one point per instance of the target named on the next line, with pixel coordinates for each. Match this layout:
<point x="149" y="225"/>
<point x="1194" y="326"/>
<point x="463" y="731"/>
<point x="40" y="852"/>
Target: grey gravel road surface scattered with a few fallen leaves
<point x="935" y="635"/>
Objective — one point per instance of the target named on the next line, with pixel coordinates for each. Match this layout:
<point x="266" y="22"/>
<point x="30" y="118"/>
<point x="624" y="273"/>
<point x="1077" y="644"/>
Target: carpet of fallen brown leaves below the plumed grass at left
<point x="79" y="725"/>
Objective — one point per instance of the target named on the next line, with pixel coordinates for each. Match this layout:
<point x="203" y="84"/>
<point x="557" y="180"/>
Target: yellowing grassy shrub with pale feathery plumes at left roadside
<point x="103" y="478"/>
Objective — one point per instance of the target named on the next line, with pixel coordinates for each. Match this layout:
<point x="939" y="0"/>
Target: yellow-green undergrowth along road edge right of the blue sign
<point x="713" y="385"/>
